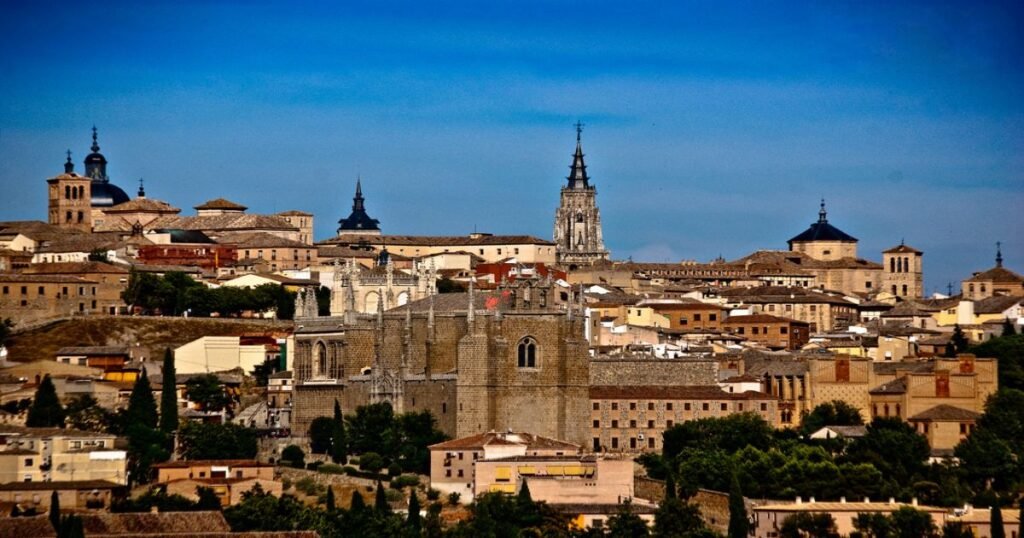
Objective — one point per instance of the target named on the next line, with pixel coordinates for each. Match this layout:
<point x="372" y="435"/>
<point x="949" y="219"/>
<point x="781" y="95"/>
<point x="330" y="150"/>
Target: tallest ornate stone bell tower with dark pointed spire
<point x="578" y="222"/>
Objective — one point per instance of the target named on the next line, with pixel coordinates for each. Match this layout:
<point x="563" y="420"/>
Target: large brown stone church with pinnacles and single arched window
<point x="510" y="359"/>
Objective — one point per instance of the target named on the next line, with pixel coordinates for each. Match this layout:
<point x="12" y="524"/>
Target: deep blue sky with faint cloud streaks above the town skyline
<point x="711" y="130"/>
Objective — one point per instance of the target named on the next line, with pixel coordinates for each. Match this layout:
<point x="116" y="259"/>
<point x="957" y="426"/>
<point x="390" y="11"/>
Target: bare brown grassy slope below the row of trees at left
<point x="152" y="335"/>
